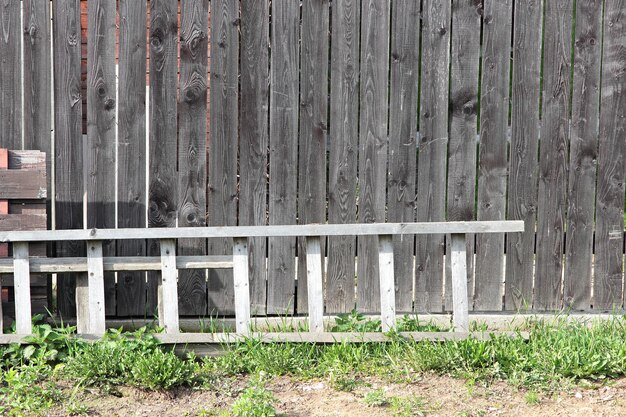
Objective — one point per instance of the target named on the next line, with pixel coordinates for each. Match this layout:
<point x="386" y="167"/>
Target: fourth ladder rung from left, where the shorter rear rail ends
<point x="241" y="285"/>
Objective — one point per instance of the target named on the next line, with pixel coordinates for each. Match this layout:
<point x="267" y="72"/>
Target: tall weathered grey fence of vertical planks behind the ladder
<point x="337" y="111"/>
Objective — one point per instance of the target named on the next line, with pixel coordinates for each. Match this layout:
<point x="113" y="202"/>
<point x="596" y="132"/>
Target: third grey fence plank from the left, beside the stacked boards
<point x="68" y="151"/>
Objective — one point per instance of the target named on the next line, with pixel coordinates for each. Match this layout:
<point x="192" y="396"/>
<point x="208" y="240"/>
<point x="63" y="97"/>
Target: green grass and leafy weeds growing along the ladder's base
<point x="557" y="353"/>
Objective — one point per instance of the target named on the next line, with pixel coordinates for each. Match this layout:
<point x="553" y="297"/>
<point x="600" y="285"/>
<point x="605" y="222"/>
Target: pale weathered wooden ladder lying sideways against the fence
<point x="90" y="302"/>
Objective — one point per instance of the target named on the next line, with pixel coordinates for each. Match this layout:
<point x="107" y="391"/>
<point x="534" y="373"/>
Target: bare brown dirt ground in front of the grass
<point x="432" y="395"/>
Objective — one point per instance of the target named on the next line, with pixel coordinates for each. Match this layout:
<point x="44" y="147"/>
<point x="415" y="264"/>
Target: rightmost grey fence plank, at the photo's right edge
<point x="611" y="155"/>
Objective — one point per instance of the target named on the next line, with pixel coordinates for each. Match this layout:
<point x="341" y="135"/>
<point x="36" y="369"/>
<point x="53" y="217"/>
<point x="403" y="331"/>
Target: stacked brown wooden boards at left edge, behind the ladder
<point x="23" y="207"/>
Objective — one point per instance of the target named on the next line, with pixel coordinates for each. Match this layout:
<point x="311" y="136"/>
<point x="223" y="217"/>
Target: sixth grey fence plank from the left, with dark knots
<point x="162" y="188"/>
